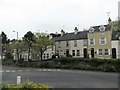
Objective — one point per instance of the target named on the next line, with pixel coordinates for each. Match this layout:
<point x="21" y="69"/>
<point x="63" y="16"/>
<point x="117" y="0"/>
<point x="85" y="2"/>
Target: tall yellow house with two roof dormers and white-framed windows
<point x="99" y="41"/>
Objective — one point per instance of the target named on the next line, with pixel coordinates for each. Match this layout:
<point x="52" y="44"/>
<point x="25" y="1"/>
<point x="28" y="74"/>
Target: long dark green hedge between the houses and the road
<point x="107" y="65"/>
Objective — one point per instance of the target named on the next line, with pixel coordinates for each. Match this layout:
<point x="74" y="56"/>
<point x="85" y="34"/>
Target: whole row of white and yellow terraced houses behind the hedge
<point x="97" y="42"/>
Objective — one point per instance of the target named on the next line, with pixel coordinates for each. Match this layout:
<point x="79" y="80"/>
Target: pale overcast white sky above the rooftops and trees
<point x="50" y="16"/>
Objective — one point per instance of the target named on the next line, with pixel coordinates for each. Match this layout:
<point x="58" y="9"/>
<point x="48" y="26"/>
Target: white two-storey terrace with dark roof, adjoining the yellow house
<point x="72" y="44"/>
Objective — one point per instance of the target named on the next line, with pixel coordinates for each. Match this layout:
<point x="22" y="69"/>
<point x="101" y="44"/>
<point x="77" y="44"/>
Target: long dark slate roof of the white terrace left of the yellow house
<point x="72" y="36"/>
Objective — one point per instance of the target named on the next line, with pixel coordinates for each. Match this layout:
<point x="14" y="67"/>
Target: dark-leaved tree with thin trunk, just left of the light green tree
<point x="29" y="38"/>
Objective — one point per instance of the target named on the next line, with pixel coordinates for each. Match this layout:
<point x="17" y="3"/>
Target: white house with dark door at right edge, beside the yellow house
<point x="115" y="45"/>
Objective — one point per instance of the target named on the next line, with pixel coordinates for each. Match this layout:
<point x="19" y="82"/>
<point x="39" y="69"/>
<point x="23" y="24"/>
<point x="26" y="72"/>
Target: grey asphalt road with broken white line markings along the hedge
<point x="56" y="78"/>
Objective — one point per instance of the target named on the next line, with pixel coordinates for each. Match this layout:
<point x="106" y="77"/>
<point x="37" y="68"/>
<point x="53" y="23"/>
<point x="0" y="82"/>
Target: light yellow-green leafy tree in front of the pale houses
<point x="41" y="43"/>
